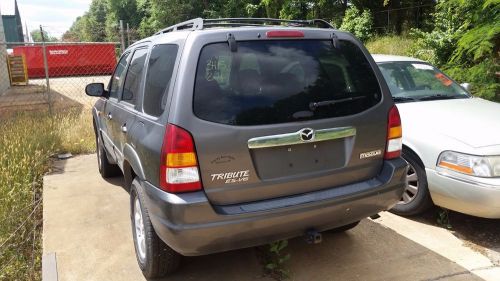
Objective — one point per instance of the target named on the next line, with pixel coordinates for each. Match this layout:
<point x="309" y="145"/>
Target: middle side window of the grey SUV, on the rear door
<point x="134" y="74"/>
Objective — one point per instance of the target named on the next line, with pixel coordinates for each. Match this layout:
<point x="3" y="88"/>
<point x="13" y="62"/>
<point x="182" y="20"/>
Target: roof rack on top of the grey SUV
<point x="199" y="23"/>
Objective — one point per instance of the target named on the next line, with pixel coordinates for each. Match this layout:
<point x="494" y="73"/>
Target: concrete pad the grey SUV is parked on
<point x="87" y="226"/>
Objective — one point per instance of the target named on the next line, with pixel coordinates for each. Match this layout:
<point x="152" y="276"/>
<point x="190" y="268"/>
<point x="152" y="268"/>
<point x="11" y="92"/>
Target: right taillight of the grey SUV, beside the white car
<point x="394" y="135"/>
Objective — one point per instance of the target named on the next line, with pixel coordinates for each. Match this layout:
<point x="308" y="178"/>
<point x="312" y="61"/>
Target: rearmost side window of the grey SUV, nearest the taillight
<point x="158" y="77"/>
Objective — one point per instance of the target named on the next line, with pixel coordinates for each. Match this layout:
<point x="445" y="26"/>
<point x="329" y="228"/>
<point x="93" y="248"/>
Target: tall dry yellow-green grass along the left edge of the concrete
<point x="27" y="141"/>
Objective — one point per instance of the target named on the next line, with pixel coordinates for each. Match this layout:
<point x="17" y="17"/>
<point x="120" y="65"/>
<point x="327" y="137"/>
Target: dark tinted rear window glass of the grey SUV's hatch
<point x="278" y="81"/>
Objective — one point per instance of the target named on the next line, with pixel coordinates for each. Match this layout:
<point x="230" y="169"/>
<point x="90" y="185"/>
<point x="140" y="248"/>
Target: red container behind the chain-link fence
<point x="69" y="59"/>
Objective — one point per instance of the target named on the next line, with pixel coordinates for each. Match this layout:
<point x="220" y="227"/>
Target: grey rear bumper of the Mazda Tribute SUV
<point x="190" y="225"/>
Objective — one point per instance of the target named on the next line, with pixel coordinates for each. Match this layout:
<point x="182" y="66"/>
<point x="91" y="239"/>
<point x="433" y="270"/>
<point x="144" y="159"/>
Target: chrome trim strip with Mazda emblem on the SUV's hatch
<point x="296" y="138"/>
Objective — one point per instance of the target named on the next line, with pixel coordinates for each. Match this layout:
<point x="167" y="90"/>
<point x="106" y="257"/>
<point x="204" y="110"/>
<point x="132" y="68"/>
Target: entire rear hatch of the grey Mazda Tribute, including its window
<point x="284" y="116"/>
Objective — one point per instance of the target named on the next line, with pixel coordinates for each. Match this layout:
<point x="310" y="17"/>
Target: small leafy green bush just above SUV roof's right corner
<point x="358" y="23"/>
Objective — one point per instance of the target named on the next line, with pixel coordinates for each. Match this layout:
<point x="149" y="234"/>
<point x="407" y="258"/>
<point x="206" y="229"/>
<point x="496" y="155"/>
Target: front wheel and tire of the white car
<point x="416" y="198"/>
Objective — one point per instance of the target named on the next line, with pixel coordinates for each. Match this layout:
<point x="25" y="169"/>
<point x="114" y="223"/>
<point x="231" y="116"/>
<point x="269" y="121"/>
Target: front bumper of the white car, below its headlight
<point x="475" y="196"/>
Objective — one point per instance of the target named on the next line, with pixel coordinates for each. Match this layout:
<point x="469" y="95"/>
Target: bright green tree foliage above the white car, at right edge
<point x="466" y="42"/>
